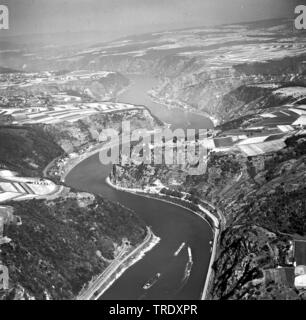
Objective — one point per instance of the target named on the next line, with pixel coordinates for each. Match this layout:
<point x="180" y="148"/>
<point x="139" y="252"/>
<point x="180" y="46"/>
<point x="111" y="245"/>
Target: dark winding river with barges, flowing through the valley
<point x="173" y="224"/>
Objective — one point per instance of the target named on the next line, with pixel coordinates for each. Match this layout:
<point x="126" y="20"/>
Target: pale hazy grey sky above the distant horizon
<point x="118" y="18"/>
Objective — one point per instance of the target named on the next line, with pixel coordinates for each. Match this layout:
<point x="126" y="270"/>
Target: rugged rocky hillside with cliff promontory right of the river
<point x="263" y="201"/>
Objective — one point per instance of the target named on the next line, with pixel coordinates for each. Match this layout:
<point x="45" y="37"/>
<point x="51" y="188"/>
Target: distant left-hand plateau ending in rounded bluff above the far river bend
<point x="97" y="87"/>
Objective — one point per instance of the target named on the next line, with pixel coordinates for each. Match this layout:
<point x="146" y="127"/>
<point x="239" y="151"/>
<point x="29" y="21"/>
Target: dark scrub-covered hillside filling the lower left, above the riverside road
<point x="62" y="244"/>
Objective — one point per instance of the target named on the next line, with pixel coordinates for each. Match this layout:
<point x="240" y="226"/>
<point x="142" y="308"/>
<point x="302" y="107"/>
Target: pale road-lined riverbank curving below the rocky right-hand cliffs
<point x="215" y="226"/>
